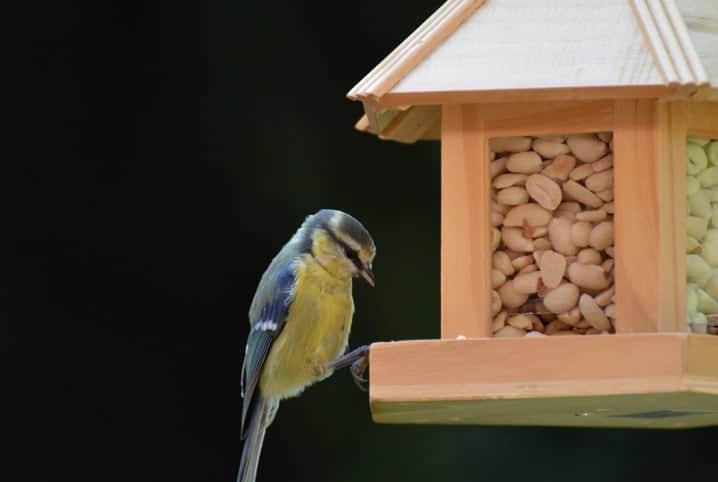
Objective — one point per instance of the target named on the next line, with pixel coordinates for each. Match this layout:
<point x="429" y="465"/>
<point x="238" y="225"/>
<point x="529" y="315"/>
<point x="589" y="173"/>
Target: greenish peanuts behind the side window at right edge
<point x="702" y="234"/>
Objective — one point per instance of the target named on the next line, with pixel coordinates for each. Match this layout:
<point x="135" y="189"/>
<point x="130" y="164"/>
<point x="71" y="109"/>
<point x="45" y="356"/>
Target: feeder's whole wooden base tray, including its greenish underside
<point x="449" y="381"/>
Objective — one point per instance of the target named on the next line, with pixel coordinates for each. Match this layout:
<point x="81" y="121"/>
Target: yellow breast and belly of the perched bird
<point x="316" y="332"/>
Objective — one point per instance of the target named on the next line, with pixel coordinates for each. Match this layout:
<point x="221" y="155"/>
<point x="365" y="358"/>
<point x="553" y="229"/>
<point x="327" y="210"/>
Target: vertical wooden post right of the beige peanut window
<point x="637" y="219"/>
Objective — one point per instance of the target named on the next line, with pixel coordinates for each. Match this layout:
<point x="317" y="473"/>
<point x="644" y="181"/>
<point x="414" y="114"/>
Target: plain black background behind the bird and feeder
<point x="166" y="152"/>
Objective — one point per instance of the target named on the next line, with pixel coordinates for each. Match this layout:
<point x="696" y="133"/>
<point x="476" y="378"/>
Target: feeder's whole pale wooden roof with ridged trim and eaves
<point x="517" y="50"/>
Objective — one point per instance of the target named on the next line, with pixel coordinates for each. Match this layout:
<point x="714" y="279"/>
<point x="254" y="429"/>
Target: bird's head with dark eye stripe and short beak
<point x="340" y="243"/>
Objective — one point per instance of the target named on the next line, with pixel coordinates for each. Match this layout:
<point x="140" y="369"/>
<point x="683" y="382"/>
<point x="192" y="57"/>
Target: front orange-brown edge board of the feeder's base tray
<point x="525" y="367"/>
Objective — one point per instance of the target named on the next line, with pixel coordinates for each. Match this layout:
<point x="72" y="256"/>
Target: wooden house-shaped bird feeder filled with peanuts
<point x="579" y="230"/>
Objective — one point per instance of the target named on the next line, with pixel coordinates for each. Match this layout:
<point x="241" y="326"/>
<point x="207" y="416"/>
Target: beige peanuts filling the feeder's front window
<point x="552" y="217"/>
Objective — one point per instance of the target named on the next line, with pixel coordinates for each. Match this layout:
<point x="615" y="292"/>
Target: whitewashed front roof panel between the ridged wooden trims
<point x="582" y="44"/>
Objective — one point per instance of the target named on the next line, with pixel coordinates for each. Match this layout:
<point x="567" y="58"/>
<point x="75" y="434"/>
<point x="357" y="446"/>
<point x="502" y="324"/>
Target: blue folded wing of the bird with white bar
<point x="264" y="331"/>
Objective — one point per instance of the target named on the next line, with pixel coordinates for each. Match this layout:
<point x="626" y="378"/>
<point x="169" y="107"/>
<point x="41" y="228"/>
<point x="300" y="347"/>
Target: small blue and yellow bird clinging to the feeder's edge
<point x="300" y="318"/>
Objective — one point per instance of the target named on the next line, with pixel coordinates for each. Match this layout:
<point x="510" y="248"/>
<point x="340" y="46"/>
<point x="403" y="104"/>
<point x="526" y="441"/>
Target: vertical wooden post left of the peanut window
<point x="465" y="227"/>
